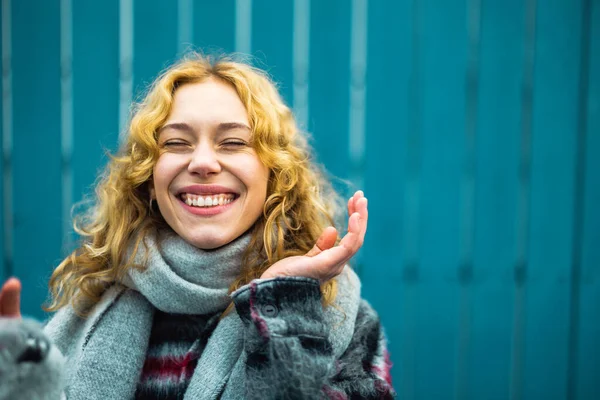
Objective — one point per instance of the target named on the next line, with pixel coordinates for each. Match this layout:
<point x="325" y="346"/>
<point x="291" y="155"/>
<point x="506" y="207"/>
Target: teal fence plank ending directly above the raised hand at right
<point x="329" y="96"/>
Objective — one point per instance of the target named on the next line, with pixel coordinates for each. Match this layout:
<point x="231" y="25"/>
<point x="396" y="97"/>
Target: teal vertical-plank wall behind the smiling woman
<point x="472" y="125"/>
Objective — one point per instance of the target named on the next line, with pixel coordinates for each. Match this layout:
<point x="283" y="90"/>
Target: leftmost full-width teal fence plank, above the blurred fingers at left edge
<point x="37" y="147"/>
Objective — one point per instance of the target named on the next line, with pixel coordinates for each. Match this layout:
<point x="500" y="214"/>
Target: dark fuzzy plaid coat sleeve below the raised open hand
<point x="289" y="354"/>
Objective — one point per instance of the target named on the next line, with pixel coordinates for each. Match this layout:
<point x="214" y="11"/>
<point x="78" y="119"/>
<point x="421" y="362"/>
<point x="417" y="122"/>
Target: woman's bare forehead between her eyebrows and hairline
<point x="209" y="100"/>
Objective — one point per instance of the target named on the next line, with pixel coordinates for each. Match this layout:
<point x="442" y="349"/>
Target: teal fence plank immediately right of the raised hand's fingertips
<point x="391" y="136"/>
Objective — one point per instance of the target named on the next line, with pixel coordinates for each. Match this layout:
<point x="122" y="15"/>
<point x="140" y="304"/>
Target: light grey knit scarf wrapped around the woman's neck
<point x="106" y="351"/>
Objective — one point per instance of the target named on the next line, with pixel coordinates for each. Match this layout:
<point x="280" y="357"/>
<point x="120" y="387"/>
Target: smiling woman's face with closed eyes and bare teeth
<point x="208" y="182"/>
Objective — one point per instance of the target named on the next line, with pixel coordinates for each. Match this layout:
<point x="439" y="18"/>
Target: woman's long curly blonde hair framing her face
<point x="300" y="202"/>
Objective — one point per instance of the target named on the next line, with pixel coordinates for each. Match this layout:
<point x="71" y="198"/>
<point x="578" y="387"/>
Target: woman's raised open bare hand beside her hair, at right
<point x="325" y="260"/>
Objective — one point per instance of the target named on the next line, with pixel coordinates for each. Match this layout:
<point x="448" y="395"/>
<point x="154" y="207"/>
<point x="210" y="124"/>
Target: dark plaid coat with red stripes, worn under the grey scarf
<point x="289" y="355"/>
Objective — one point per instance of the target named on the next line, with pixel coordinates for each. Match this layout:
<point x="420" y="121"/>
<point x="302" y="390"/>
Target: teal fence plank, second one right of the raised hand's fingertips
<point x="444" y="47"/>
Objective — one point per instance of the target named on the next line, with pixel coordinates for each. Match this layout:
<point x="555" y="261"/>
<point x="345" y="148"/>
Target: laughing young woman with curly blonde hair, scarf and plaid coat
<point x="210" y="267"/>
